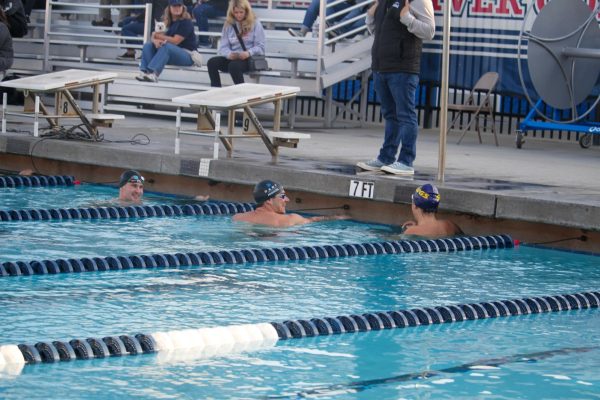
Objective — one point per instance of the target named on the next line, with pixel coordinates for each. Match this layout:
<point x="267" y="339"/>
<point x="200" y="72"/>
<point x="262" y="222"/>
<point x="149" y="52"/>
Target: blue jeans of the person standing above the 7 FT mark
<point x="397" y="91"/>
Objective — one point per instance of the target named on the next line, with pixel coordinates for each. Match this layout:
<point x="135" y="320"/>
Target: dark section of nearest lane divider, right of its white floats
<point x="295" y="329"/>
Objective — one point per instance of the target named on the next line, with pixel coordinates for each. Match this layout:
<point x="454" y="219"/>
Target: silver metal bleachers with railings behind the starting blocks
<point x="62" y="37"/>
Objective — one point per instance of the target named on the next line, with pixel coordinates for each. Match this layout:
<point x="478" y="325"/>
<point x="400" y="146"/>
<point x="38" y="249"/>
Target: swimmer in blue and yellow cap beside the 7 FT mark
<point x="425" y="203"/>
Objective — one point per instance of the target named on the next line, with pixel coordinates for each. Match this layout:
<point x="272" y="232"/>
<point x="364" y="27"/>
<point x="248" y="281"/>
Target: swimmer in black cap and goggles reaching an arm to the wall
<point x="271" y="202"/>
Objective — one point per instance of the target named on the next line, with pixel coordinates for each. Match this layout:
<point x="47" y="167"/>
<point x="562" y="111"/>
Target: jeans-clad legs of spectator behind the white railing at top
<point x="312" y="13"/>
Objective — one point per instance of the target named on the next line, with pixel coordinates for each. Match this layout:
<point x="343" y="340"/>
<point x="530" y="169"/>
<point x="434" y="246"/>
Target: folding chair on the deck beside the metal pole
<point x="479" y="102"/>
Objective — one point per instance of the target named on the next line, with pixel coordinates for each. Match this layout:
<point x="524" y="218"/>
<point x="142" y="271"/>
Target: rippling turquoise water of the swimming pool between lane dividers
<point x="448" y="361"/>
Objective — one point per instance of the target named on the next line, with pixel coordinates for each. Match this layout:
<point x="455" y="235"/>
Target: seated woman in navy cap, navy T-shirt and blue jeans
<point x="174" y="46"/>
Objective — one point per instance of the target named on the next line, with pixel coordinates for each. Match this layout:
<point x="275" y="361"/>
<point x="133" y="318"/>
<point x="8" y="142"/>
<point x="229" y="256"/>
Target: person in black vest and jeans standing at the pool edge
<point x="399" y="27"/>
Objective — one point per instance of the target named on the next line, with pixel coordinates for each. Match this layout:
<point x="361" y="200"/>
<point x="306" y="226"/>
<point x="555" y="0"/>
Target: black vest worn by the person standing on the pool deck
<point x="394" y="49"/>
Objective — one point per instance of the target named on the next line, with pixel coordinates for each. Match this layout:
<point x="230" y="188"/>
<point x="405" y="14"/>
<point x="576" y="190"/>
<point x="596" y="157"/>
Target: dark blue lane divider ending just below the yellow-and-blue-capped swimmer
<point x="169" y="260"/>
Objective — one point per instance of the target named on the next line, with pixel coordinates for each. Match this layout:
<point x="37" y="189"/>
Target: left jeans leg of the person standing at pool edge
<point x="391" y="141"/>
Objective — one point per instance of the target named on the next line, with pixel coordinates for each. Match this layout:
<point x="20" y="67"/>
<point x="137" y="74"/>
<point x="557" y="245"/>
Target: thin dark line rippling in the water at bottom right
<point x="360" y="386"/>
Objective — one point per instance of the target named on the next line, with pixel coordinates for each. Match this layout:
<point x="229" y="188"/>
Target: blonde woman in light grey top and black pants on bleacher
<point x="232" y="58"/>
